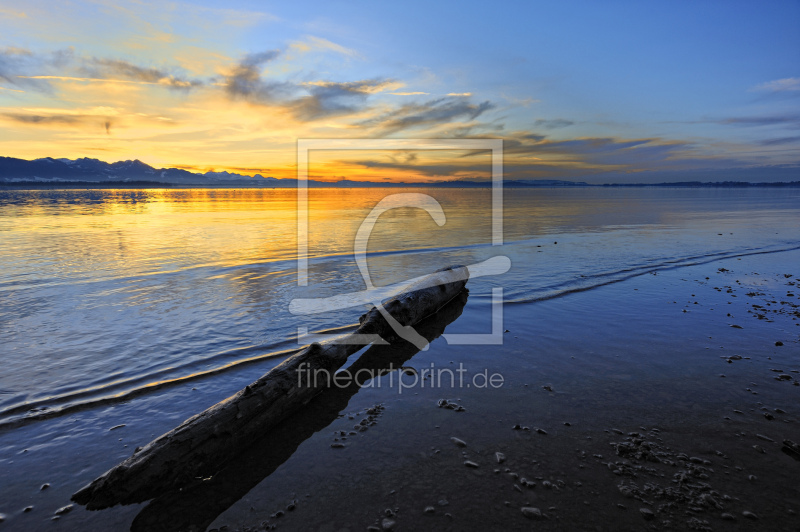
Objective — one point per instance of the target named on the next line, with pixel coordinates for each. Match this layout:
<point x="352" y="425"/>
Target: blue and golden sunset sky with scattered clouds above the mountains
<point x="584" y="91"/>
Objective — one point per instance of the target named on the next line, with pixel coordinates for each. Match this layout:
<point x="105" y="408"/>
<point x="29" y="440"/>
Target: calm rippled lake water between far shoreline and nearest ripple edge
<point x="105" y="292"/>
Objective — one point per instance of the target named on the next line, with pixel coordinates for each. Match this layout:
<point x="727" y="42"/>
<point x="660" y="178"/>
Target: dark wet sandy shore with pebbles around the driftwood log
<point x="660" y="402"/>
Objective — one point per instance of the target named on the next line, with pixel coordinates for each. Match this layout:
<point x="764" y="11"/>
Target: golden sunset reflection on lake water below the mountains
<point x="161" y="230"/>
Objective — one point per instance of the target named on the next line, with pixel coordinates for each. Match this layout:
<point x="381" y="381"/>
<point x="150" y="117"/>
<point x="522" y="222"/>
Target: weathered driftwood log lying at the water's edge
<point x="186" y="452"/>
